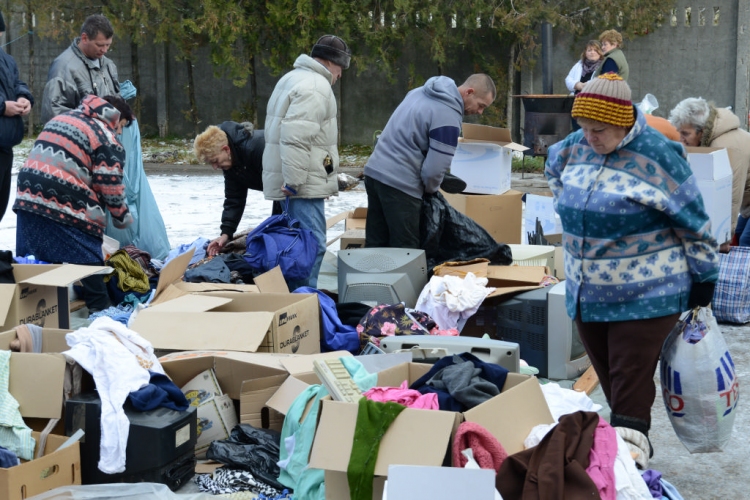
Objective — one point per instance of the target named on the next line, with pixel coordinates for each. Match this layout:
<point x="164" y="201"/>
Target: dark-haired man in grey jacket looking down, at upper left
<point x="82" y="69"/>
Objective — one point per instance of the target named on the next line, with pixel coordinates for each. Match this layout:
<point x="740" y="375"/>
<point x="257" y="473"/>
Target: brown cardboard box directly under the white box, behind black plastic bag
<point x="500" y="215"/>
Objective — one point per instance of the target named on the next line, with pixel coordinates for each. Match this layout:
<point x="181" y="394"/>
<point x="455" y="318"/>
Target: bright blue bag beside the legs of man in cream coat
<point x="280" y="241"/>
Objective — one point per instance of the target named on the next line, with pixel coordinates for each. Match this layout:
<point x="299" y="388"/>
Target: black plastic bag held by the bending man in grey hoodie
<point x="448" y="235"/>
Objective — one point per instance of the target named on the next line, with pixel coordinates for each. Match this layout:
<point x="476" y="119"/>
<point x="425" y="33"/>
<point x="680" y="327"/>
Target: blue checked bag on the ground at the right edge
<point x="731" y="302"/>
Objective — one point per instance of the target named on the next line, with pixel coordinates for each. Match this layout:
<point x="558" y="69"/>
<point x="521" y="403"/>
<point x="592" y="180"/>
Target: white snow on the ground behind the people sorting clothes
<point x="191" y="207"/>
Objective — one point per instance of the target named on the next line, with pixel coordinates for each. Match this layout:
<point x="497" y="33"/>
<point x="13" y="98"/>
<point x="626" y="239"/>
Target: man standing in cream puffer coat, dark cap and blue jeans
<point x="301" y="157"/>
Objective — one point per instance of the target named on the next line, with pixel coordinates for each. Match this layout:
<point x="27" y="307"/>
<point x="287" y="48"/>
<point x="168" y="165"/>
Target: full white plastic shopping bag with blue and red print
<point x="699" y="382"/>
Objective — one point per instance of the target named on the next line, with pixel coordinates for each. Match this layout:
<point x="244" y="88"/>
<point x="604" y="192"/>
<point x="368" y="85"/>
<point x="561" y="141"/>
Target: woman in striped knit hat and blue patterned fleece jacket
<point x="637" y="245"/>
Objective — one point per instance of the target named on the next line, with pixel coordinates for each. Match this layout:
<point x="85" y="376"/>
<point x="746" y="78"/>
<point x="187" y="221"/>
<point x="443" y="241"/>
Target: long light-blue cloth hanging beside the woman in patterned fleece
<point x="147" y="232"/>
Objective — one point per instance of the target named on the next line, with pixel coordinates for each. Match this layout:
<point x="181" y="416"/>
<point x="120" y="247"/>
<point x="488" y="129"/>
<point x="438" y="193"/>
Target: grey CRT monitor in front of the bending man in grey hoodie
<point x="381" y="275"/>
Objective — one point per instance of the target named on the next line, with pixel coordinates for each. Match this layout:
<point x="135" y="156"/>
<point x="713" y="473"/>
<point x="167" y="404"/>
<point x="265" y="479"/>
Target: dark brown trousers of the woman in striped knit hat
<point x="624" y="355"/>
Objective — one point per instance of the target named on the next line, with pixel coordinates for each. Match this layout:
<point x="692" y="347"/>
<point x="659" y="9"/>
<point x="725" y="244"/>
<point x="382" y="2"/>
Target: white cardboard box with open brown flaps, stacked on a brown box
<point x="483" y="159"/>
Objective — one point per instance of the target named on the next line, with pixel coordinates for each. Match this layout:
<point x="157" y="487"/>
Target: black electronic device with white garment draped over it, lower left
<point x="160" y="448"/>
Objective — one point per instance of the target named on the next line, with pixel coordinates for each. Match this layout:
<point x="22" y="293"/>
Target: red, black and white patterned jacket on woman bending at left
<point x="75" y="169"/>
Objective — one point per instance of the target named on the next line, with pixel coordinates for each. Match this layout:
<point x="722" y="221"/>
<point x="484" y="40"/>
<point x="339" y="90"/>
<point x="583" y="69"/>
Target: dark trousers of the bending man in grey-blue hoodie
<point x="392" y="217"/>
